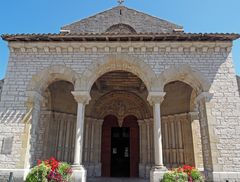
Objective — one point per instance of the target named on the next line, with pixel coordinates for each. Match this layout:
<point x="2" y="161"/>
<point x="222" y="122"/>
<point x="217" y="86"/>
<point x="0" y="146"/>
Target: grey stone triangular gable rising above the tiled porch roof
<point x="138" y="21"/>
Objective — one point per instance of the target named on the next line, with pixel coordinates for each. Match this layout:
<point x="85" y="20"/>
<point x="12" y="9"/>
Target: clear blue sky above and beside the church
<point x="47" y="16"/>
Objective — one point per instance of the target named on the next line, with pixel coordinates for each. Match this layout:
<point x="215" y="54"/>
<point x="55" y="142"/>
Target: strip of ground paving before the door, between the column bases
<point x="101" y="179"/>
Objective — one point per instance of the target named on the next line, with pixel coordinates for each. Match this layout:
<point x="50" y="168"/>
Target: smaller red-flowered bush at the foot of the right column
<point x="183" y="174"/>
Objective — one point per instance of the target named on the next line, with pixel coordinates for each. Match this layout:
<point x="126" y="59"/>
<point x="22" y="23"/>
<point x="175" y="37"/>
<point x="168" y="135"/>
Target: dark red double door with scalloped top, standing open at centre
<point x="120" y="147"/>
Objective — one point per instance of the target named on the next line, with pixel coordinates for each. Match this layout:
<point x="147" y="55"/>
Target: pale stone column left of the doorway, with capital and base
<point x="82" y="99"/>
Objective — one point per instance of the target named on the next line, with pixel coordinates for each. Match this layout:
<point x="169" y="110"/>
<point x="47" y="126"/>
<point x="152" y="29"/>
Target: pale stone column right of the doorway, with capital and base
<point x="155" y="99"/>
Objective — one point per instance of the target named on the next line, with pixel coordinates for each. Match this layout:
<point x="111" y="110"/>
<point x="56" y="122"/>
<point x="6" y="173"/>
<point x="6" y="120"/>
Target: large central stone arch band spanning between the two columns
<point x="119" y="62"/>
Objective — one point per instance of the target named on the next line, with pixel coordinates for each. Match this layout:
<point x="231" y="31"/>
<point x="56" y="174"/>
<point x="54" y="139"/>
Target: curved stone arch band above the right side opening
<point x="185" y="74"/>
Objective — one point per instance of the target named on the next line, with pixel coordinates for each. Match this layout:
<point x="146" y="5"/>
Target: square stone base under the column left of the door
<point x="79" y="173"/>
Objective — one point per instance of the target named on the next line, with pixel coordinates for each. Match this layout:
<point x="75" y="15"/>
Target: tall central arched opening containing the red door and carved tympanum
<point x="119" y="105"/>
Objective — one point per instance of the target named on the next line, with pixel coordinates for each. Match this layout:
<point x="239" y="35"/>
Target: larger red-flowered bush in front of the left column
<point x="50" y="170"/>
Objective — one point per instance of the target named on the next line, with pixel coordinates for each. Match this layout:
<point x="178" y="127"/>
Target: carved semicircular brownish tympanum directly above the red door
<point x="122" y="104"/>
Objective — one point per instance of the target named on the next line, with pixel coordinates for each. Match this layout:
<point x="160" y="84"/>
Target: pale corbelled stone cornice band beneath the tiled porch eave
<point x="126" y="47"/>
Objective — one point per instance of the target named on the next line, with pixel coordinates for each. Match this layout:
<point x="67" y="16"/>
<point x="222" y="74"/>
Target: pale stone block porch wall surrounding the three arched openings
<point x="168" y="61"/>
